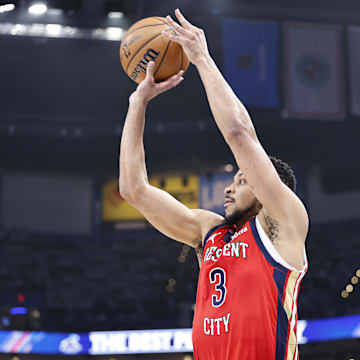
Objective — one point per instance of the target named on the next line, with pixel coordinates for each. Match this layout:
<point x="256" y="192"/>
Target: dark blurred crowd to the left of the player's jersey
<point x="118" y="282"/>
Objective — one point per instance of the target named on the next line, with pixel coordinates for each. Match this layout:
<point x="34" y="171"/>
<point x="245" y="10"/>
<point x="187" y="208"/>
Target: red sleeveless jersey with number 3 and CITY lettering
<point x="246" y="302"/>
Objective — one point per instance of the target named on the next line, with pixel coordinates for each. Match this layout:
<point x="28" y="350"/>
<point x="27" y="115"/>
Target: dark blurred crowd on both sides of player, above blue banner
<point x="143" y="280"/>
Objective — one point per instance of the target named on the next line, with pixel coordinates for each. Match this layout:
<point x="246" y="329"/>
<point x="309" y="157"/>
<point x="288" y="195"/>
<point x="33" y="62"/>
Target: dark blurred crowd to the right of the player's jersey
<point x="334" y="257"/>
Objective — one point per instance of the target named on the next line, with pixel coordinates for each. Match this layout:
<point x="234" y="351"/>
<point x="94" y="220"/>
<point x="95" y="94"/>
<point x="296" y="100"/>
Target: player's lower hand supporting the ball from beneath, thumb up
<point x="148" y="88"/>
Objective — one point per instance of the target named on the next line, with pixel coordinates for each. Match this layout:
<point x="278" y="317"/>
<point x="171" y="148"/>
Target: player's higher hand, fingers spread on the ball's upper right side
<point x="191" y="38"/>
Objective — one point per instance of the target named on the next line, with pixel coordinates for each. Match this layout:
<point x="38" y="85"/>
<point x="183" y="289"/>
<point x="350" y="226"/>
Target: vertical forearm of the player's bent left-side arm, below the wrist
<point x="133" y="174"/>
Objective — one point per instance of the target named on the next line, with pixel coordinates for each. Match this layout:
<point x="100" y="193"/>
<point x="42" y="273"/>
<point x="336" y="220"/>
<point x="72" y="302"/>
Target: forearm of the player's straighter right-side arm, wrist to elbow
<point x="230" y="114"/>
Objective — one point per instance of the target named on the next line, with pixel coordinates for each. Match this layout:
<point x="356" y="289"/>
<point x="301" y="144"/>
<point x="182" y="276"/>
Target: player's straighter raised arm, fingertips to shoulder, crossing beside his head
<point x="234" y="122"/>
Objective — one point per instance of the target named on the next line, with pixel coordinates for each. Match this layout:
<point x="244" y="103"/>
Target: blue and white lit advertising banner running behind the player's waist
<point x="154" y="341"/>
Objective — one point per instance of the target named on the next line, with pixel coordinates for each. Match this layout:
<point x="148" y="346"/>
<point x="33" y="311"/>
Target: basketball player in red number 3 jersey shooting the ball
<point x="251" y="262"/>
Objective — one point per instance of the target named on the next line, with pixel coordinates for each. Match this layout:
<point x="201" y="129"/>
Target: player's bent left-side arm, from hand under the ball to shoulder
<point x="163" y="211"/>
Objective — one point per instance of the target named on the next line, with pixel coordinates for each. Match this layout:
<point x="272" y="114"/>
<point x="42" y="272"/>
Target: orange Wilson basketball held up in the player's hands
<point x="144" y="42"/>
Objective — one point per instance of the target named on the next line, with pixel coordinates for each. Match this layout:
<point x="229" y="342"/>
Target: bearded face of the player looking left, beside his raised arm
<point x="240" y="202"/>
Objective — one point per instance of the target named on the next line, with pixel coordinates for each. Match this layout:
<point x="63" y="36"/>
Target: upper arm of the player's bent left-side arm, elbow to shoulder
<point x="171" y="217"/>
